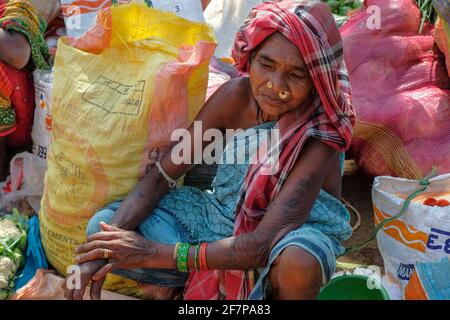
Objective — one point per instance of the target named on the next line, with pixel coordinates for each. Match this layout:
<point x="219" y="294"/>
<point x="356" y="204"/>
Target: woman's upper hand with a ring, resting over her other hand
<point x="124" y="249"/>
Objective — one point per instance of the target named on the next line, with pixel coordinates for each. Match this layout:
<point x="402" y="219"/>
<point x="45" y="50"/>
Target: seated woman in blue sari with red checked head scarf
<point x="257" y="233"/>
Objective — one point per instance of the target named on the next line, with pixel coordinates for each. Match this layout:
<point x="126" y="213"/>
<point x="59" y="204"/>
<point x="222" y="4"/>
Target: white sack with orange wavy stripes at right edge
<point x="421" y="234"/>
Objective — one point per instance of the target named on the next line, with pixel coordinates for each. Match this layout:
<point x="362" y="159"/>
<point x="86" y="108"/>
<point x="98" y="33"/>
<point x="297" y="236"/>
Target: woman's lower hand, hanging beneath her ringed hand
<point x="76" y="283"/>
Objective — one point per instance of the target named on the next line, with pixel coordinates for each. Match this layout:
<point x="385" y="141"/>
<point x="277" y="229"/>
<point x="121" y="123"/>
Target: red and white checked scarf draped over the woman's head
<point x="328" y="116"/>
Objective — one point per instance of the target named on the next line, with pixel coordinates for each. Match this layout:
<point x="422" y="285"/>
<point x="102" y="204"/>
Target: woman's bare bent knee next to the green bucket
<point x="295" y="274"/>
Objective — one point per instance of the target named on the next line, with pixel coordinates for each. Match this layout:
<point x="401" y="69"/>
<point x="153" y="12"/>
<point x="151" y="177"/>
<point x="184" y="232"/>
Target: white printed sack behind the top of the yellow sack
<point x="80" y="15"/>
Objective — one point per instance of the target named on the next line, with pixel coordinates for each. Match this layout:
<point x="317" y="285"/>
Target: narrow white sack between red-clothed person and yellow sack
<point x="42" y="124"/>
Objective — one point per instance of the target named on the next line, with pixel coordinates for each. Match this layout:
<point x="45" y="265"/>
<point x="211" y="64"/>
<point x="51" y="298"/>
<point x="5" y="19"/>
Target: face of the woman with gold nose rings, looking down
<point x="279" y="77"/>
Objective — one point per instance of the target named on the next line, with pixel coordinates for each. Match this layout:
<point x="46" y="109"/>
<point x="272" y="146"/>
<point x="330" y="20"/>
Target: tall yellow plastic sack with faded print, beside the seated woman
<point x="142" y="74"/>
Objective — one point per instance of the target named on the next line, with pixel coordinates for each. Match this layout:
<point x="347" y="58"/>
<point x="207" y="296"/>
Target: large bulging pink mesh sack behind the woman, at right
<point x="400" y="91"/>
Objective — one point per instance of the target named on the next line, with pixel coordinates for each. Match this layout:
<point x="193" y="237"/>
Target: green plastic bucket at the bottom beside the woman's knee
<point x="353" y="287"/>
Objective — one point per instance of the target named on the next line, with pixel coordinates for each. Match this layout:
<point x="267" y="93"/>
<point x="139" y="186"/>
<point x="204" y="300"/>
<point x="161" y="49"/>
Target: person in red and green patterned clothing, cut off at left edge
<point x="21" y="38"/>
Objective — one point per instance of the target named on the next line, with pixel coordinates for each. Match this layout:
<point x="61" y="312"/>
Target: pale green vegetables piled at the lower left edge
<point x="13" y="240"/>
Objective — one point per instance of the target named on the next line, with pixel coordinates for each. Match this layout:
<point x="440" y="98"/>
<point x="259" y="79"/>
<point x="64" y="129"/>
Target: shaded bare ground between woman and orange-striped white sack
<point x="356" y="191"/>
